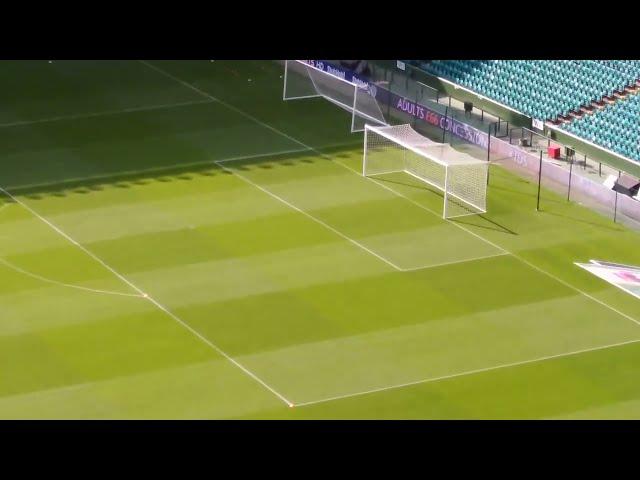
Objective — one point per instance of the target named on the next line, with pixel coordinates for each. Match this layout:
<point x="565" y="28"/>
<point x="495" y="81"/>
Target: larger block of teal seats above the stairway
<point x="542" y="89"/>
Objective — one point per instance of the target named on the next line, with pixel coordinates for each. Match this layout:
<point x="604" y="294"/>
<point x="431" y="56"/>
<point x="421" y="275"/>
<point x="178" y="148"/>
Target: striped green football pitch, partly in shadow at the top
<point x="178" y="242"/>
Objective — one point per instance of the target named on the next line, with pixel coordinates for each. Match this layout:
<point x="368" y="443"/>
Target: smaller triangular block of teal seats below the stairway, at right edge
<point x="616" y="127"/>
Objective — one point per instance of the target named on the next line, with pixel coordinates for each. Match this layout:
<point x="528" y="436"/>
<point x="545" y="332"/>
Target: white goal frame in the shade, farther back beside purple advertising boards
<point x="302" y="80"/>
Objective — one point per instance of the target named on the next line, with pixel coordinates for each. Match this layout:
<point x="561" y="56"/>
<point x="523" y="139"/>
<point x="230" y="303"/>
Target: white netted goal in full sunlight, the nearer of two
<point x="461" y="178"/>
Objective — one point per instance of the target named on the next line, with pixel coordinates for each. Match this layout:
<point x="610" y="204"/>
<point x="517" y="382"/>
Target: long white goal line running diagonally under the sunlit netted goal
<point x="279" y="132"/>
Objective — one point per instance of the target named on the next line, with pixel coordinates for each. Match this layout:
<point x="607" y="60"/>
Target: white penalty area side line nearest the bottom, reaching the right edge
<point x="466" y="373"/>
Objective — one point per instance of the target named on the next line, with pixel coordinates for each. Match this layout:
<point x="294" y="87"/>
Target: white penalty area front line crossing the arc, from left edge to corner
<point x="150" y="299"/>
